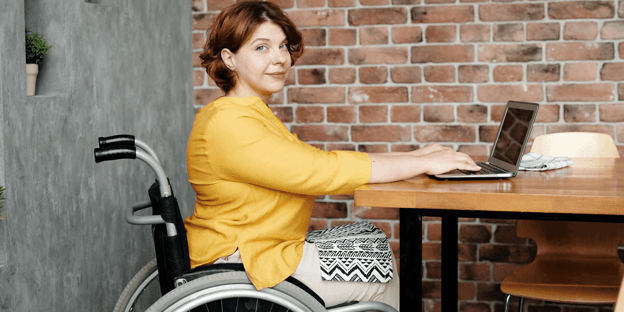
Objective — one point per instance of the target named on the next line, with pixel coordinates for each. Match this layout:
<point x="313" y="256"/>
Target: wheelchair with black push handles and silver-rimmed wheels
<point x="168" y="284"/>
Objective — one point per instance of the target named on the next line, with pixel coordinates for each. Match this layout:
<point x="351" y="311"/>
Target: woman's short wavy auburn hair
<point x="233" y="27"/>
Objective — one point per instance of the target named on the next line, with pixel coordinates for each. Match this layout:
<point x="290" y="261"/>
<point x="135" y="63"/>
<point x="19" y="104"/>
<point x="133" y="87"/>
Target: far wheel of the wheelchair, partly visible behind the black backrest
<point x="142" y="290"/>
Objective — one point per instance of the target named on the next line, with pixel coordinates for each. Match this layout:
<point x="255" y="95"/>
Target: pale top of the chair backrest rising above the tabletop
<point x="576" y="144"/>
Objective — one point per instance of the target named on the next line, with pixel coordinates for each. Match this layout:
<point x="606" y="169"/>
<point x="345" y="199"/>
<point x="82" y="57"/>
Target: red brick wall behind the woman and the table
<point x="394" y="75"/>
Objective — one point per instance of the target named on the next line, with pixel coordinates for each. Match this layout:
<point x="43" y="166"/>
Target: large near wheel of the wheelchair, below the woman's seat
<point x="233" y="292"/>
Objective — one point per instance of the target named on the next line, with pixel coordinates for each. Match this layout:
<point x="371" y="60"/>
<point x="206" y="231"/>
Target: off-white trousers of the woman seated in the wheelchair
<point x="309" y="272"/>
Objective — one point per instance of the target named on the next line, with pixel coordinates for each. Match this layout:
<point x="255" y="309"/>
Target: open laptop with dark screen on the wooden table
<point x="511" y="140"/>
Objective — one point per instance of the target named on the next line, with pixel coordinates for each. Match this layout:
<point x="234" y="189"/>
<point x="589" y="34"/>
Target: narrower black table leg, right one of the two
<point x="449" y="263"/>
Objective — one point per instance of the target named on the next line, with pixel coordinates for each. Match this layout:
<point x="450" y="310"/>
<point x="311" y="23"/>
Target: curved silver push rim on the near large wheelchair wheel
<point x="233" y="291"/>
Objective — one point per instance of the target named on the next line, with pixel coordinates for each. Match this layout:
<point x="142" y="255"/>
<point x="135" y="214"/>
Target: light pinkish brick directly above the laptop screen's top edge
<point x="503" y="93"/>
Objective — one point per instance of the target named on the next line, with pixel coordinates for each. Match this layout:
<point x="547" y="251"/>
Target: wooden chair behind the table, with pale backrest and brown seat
<point x="576" y="262"/>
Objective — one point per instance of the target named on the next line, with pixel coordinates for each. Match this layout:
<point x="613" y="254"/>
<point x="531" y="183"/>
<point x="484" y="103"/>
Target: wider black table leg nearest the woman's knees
<point x="411" y="260"/>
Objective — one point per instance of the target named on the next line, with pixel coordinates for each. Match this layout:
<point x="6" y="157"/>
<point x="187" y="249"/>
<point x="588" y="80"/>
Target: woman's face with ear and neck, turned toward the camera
<point x="261" y="64"/>
